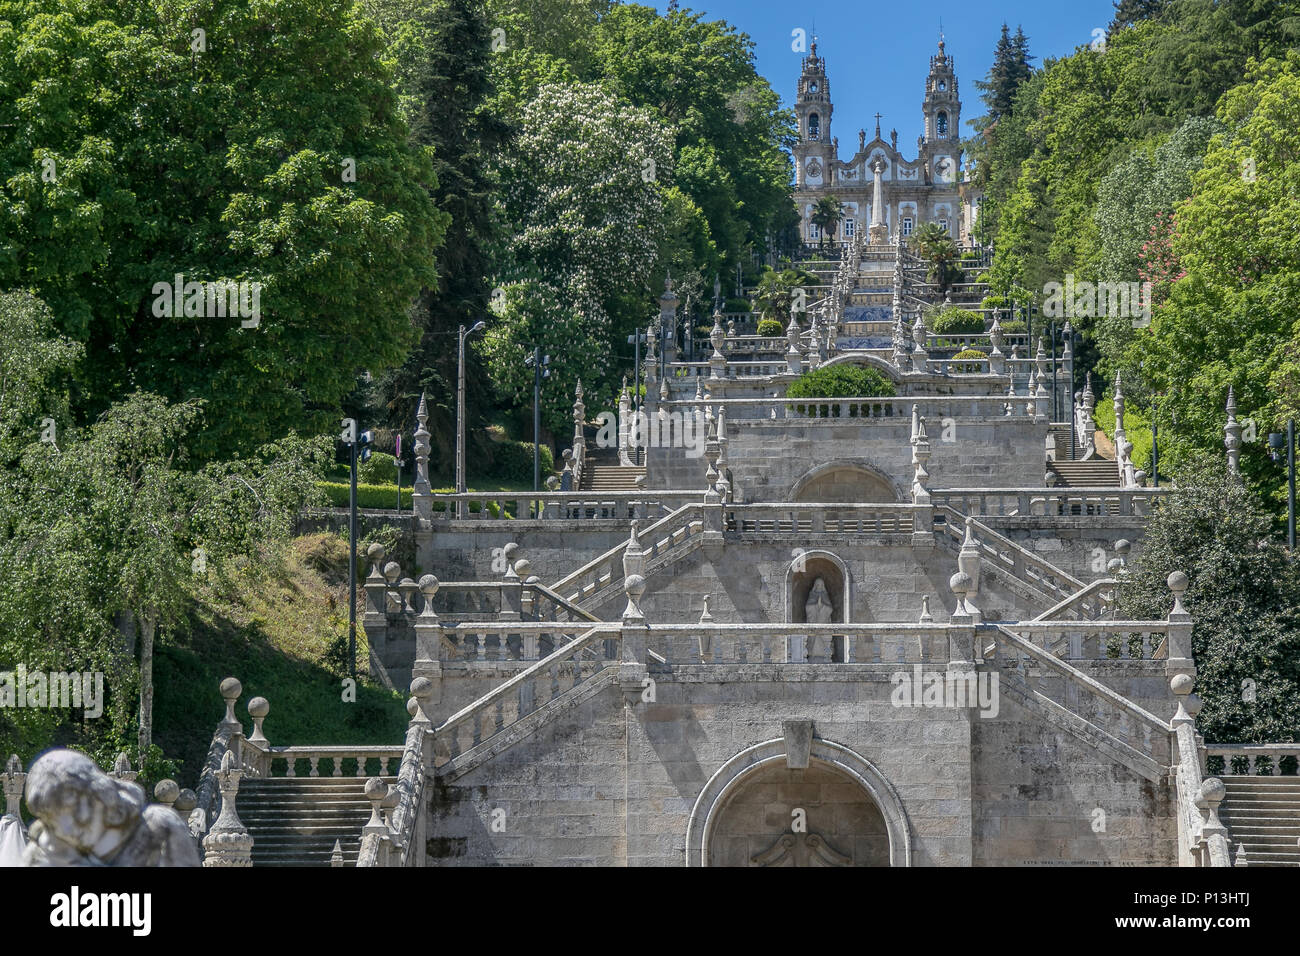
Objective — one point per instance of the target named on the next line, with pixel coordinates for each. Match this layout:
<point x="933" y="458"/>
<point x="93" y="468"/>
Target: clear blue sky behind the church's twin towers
<point x="878" y="54"/>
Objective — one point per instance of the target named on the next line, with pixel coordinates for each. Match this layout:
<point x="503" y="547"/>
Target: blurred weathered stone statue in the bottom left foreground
<point x="88" y="819"/>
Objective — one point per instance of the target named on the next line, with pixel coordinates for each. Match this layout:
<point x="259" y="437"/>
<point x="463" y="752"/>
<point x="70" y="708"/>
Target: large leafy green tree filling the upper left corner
<point x="132" y="158"/>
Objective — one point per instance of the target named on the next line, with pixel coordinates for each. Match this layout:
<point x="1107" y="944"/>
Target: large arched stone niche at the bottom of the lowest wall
<point x="727" y="812"/>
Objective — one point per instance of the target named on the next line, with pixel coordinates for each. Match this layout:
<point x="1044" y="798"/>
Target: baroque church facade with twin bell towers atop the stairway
<point x="909" y="193"/>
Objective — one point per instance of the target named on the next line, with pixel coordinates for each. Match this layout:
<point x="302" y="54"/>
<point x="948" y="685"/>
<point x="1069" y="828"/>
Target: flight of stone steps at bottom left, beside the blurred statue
<point x="294" y="821"/>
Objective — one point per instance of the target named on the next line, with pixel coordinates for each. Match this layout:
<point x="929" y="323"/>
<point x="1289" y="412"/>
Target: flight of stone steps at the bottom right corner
<point x="1264" y="815"/>
